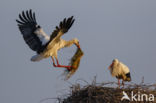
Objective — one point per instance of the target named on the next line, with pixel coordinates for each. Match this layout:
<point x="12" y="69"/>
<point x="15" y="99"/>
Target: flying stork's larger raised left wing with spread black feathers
<point x="28" y="26"/>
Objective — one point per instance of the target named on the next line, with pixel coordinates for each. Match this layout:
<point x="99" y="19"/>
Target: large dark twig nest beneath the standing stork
<point x="102" y="93"/>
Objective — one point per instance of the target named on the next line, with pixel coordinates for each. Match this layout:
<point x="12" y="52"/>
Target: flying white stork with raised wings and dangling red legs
<point x="40" y="42"/>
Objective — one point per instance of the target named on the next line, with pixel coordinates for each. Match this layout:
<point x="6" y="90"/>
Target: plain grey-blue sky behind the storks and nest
<point x="107" y="29"/>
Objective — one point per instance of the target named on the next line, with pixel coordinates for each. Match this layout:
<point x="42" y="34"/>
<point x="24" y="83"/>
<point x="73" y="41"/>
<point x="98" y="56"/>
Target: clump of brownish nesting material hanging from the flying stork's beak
<point x="74" y="63"/>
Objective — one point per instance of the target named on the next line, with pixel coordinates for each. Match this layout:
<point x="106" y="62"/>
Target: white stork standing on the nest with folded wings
<point x="120" y="71"/>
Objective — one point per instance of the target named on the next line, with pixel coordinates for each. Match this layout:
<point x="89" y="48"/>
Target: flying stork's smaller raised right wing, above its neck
<point x="63" y="27"/>
